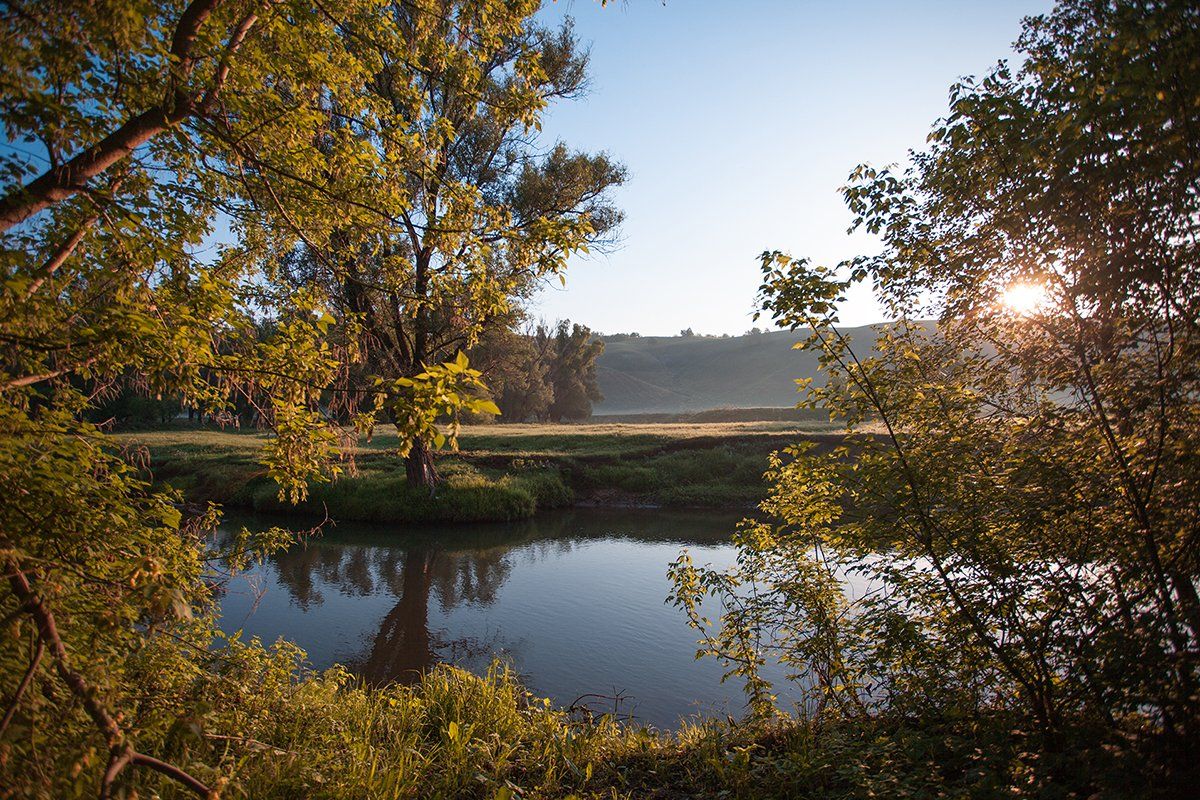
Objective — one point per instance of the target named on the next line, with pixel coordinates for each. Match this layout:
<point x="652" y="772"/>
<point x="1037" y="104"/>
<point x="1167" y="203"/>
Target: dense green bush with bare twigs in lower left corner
<point x="98" y="569"/>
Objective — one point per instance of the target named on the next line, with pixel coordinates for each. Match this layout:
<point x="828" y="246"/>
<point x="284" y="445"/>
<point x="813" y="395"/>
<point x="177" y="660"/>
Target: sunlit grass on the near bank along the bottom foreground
<point x="272" y="735"/>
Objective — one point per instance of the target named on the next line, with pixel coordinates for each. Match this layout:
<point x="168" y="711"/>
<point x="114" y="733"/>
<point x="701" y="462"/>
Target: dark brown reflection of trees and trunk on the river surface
<point x="461" y="566"/>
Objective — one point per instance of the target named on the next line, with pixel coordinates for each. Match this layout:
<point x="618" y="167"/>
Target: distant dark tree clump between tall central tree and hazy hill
<point x="545" y="375"/>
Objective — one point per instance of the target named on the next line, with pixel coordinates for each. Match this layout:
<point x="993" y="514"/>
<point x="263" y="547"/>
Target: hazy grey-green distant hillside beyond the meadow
<point x="670" y="375"/>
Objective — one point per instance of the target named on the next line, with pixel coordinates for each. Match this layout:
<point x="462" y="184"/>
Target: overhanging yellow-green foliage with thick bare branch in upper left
<point x="142" y="123"/>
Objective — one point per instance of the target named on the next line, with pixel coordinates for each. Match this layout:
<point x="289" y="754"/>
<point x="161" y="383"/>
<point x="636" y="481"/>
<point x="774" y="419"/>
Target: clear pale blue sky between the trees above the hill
<point x="739" y="122"/>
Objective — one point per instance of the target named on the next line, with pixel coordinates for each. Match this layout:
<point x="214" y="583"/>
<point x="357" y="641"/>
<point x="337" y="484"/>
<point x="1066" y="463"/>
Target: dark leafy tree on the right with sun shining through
<point x="1019" y="483"/>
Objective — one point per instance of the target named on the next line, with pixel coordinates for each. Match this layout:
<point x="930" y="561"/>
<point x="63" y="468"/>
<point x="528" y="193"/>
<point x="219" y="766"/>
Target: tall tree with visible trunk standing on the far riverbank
<point x="487" y="214"/>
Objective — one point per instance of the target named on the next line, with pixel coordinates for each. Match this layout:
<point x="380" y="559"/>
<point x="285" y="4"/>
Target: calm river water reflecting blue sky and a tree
<point x="575" y="601"/>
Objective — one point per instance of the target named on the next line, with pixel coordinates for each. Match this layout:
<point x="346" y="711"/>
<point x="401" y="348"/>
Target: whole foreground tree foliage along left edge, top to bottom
<point x="134" y="133"/>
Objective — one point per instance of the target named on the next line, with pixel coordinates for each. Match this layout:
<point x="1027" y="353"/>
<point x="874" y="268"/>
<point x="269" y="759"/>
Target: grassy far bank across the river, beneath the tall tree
<point x="501" y="473"/>
